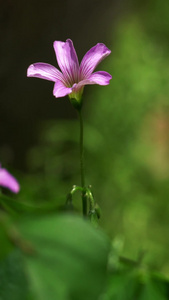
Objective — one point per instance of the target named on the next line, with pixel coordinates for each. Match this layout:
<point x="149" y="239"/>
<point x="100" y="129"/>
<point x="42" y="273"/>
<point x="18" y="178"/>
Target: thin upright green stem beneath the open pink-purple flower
<point x="84" y="196"/>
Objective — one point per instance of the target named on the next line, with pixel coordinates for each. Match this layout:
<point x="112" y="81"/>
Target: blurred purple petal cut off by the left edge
<point x="8" y="181"/>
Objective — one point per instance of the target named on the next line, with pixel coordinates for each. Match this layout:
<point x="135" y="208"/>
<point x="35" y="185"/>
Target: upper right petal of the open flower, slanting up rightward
<point x="92" y="58"/>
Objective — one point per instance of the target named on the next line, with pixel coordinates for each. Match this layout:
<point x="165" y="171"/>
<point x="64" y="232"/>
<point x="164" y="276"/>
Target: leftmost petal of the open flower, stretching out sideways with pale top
<point x="44" y="71"/>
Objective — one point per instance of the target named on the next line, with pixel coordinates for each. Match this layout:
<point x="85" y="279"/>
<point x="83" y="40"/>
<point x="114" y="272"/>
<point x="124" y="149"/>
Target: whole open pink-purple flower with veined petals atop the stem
<point x="73" y="77"/>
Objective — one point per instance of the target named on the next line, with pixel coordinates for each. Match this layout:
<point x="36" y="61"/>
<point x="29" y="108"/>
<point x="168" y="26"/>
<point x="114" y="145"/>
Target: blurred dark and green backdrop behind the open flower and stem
<point x="126" y="123"/>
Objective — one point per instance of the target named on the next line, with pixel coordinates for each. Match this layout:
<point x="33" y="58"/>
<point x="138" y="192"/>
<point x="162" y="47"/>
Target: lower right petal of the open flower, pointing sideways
<point x="100" y="77"/>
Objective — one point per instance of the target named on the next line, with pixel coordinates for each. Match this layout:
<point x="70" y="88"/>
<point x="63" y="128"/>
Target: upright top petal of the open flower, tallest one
<point x="67" y="60"/>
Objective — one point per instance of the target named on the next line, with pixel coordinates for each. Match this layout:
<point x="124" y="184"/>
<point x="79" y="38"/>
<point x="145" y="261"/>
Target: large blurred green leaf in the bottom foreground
<point x="70" y="258"/>
